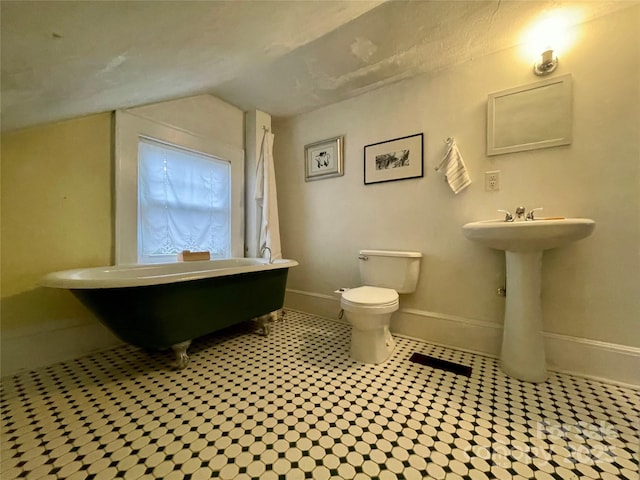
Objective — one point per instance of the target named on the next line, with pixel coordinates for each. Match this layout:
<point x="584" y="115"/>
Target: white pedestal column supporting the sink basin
<point x="522" y="354"/>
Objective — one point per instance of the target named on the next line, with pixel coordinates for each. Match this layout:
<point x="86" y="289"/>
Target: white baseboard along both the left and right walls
<point x="588" y="358"/>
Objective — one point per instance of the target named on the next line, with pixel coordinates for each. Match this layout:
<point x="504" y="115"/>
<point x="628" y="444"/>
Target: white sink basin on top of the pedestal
<point x="531" y="236"/>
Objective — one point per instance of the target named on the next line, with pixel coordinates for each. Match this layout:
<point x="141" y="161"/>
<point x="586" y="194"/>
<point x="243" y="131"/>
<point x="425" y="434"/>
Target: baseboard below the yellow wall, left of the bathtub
<point x="28" y="350"/>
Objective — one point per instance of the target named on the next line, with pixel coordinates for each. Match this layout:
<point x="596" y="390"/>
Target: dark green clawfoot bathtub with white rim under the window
<point x="168" y="305"/>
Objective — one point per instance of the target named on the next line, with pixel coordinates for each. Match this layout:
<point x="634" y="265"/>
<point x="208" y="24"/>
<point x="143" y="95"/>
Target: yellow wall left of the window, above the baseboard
<point x="56" y="215"/>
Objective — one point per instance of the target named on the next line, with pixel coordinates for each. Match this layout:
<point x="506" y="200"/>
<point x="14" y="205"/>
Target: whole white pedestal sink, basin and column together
<point x="522" y="354"/>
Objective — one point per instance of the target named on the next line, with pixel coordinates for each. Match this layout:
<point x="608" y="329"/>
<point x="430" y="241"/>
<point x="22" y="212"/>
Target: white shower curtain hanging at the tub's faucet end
<point x="267" y="199"/>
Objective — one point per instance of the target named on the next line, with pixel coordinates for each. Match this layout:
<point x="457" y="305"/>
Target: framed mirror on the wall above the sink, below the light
<point x="529" y="117"/>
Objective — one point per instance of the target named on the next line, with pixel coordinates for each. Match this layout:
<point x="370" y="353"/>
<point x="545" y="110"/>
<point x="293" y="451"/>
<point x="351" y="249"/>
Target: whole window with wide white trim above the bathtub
<point x="175" y="191"/>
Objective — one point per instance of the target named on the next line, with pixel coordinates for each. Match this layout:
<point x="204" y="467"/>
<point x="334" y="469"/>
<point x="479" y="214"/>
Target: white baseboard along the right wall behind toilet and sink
<point x="608" y="362"/>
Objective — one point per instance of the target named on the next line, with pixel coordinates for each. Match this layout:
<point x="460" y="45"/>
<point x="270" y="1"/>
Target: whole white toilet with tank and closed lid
<point x="385" y="274"/>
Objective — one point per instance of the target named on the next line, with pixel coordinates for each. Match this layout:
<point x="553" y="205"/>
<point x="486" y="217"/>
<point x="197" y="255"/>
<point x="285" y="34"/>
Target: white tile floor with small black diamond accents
<point x="293" y="405"/>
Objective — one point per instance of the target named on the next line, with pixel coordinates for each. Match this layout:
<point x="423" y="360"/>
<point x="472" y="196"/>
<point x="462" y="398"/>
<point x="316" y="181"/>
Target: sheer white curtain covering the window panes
<point x="184" y="202"/>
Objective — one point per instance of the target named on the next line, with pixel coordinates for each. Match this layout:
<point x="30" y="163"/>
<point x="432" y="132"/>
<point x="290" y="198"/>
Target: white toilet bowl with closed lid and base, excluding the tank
<point x="368" y="310"/>
